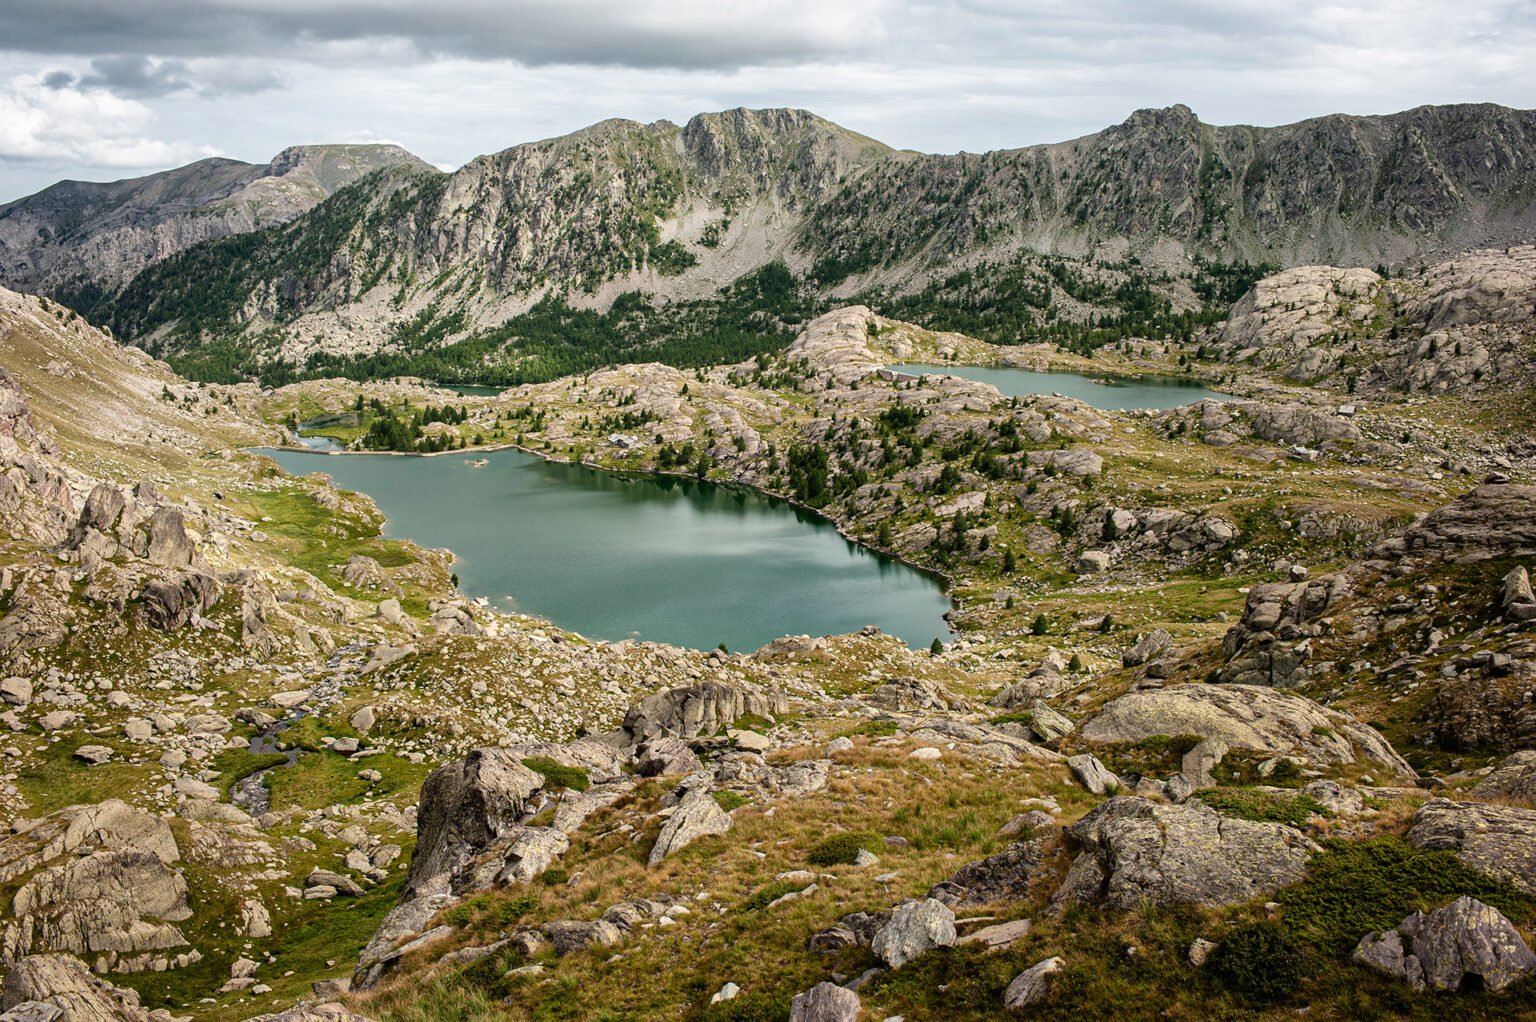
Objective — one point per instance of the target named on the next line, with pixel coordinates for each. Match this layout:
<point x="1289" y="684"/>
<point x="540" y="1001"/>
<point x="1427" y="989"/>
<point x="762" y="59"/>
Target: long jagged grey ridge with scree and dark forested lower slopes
<point x="713" y="242"/>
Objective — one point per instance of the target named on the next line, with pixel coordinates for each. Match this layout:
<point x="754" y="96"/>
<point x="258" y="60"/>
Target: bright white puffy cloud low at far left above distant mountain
<point x="68" y="125"/>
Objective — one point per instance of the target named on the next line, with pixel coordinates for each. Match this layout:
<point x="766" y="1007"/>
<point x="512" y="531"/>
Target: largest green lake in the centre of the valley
<point x="617" y="557"/>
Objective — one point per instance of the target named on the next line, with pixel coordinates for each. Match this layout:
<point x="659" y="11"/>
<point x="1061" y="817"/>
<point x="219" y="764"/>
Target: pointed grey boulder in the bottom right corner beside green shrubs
<point x="1465" y="946"/>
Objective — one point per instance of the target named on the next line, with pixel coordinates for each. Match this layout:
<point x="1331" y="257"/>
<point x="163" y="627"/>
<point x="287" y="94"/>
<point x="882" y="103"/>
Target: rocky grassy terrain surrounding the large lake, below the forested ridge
<point x="1237" y="722"/>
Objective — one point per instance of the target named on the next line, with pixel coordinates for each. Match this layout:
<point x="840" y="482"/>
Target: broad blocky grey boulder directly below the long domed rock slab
<point x="1134" y="852"/>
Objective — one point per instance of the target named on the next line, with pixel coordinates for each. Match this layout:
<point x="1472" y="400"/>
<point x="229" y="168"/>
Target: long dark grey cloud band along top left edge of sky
<point x="640" y="33"/>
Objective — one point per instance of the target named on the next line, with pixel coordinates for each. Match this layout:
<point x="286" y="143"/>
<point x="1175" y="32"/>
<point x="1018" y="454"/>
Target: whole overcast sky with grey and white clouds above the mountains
<point x="104" y="90"/>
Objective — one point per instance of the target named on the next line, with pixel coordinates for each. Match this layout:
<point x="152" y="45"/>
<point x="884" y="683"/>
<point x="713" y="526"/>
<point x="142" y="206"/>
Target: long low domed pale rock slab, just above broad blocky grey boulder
<point x="1245" y="717"/>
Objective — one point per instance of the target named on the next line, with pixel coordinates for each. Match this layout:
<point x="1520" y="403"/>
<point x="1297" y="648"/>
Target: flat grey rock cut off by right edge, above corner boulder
<point x="1494" y="840"/>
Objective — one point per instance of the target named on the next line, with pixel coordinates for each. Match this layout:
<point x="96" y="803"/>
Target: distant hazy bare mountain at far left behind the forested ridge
<point x="102" y="234"/>
